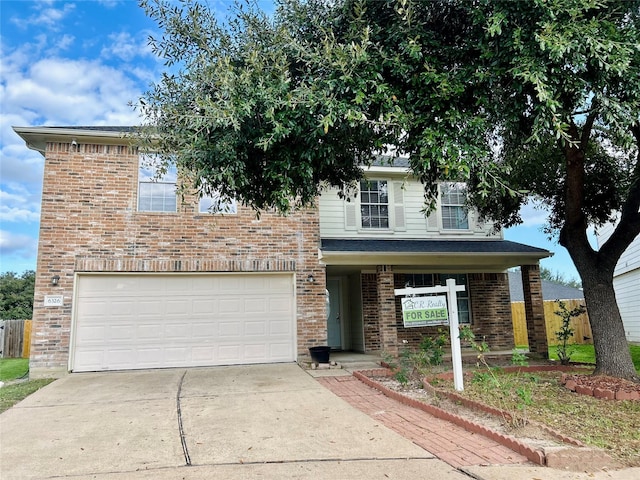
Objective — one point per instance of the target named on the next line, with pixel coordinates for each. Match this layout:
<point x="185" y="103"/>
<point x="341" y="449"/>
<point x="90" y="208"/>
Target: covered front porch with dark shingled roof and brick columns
<point x="364" y="314"/>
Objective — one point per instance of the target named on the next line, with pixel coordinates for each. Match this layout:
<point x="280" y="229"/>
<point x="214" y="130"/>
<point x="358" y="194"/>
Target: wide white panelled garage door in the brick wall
<point x="153" y="321"/>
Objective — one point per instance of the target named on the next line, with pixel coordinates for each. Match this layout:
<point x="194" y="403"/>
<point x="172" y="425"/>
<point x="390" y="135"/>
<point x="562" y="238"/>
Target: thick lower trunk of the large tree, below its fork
<point x="612" y="351"/>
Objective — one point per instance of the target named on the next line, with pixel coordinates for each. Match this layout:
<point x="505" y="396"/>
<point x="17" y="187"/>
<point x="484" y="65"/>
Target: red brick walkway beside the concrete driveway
<point x="449" y="442"/>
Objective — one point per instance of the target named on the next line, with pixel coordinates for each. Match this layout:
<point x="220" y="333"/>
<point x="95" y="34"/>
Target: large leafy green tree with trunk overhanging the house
<point x="518" y="99"/>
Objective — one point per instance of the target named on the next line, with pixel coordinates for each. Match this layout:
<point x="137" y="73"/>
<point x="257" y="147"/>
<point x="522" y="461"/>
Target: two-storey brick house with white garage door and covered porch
<point x="131" y="275"/>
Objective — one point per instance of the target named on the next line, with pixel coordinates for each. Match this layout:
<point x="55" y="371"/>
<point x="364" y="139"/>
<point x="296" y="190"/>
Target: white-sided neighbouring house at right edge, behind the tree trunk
<point x="626" y="282"/>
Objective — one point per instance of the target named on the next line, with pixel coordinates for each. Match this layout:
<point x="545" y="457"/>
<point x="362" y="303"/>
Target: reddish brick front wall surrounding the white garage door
<point x="90" y="222"/>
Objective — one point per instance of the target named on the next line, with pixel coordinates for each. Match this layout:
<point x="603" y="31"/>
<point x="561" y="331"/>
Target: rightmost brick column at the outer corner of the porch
<point x="534" y="310"/>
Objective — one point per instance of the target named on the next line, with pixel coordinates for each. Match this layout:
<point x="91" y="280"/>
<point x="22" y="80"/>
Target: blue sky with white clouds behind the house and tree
<point x="81" y="63"/>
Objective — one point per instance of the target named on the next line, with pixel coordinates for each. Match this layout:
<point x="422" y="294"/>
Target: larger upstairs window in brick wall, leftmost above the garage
<point x="156" y="185"/>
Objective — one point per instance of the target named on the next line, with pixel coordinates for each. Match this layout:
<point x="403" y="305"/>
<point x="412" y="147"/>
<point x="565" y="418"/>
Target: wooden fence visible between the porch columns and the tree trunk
<point x="582" y="329"/>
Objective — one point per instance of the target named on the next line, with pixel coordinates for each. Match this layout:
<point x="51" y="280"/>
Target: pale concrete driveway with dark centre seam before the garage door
<point x="261" y="421"/>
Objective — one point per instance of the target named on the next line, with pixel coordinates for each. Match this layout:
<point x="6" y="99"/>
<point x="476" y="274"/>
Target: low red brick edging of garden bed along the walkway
<point x="538" y="456"/>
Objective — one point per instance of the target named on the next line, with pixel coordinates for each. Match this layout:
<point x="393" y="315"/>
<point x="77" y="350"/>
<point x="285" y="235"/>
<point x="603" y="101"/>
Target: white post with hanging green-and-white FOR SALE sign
<point x="432" y="310"/>
